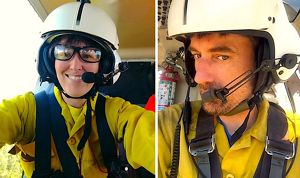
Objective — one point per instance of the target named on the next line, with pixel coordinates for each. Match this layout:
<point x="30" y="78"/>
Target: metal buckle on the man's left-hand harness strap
<point x="199" y="146"/>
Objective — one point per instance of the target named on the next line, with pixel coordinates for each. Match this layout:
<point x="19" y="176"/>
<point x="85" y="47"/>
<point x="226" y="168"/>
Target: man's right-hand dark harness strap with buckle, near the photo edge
<point x="277" y="151"/>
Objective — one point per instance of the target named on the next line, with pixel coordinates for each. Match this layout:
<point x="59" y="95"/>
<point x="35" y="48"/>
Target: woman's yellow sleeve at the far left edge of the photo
<point x="17" y="118"/>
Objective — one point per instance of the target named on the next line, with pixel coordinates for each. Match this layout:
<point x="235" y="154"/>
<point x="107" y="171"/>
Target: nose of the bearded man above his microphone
<point x="204" y="71"/>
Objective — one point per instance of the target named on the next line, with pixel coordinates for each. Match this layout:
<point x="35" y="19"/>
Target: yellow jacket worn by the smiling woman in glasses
<point x="17" y="117"/>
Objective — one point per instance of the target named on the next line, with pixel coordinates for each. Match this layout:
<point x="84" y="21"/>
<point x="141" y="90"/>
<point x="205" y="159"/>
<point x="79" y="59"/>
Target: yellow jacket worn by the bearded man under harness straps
<point x="239" y="160"/>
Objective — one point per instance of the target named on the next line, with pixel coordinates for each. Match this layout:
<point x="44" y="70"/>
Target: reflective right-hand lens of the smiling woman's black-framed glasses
<point x="90" y="54"/>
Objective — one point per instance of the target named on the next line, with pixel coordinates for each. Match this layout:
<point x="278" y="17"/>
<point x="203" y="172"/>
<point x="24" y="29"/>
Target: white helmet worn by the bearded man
<point x="261" y="18"/>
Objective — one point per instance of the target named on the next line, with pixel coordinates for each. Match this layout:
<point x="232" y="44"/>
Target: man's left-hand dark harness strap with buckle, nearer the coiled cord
<point x="203" y="148"/>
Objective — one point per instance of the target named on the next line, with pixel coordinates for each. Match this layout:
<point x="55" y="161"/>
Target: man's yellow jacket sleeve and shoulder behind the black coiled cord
<point x="167" y="123"/>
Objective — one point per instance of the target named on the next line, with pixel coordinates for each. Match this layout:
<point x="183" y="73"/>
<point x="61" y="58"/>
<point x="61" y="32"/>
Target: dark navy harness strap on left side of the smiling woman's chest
<point x="46" y="124"/>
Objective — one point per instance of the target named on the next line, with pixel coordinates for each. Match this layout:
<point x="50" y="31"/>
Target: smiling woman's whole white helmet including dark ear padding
<point x="84" y="20"/>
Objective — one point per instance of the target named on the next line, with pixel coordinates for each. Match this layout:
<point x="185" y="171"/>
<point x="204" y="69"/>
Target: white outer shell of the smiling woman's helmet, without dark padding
<point x="82" y="17"/>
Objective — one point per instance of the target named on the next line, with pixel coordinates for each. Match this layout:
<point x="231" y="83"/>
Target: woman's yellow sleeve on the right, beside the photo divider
<point x="139" y="133"/>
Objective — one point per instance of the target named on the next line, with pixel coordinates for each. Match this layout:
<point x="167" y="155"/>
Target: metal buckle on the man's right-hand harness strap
<point x="281" y="150"/>
